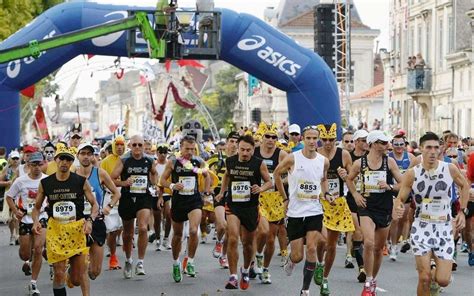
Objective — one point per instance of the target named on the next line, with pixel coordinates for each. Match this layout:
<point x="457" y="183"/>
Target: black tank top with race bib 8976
<point x="242" y="175"/>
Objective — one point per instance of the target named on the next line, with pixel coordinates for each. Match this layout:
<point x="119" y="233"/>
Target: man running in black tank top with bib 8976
<point x="244" y="172"/>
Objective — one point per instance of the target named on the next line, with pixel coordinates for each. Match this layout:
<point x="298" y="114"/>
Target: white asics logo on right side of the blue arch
<point x="269" y="55"/>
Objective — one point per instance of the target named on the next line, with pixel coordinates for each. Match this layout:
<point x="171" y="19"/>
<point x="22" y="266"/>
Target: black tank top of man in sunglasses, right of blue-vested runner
<point x="139" y="170"/>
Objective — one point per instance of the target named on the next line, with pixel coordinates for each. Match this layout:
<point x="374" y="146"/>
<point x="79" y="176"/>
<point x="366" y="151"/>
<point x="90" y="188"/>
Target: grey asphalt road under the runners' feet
<point x="396" y="278"/>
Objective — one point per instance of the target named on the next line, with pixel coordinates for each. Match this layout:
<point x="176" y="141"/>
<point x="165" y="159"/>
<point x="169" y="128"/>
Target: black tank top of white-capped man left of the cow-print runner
<point x="376" y="200"/>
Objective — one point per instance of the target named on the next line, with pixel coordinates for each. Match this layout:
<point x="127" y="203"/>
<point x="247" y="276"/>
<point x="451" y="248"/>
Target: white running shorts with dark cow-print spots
<point x="435" y="237"/>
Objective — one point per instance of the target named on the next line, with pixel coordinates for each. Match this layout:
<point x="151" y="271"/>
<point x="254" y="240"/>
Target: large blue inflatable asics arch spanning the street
<point x="246" y="42"/>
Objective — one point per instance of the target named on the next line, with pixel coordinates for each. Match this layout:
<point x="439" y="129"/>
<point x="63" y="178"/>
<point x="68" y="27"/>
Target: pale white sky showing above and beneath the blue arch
<point x="374" y="13"/>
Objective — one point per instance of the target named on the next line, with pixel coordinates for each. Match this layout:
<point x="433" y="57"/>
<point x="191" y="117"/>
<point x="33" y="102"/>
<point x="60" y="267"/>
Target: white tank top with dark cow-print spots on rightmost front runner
<point x="431" y="191"/>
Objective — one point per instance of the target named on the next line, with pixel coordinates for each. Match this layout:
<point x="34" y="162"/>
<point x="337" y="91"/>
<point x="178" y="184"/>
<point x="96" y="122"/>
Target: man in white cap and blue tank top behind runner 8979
<point x="98" y="178"/>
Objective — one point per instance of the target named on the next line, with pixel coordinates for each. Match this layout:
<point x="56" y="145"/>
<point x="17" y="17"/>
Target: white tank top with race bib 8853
<point x="304" y="186"/>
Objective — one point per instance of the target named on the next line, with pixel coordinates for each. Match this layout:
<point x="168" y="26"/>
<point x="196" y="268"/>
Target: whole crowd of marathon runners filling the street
<point x="73" y="203"/>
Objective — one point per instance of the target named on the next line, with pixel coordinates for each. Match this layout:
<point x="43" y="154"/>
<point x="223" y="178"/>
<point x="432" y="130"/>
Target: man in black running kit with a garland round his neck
<point x="186" y="202"/>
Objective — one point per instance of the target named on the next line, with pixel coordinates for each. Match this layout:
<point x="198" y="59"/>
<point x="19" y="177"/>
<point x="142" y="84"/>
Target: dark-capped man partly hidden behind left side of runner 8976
<point x="217" y="163"/>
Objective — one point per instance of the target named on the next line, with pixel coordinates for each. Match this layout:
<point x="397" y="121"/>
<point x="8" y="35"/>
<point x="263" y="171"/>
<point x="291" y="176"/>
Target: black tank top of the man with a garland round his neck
<point x="186" y="174"/>
